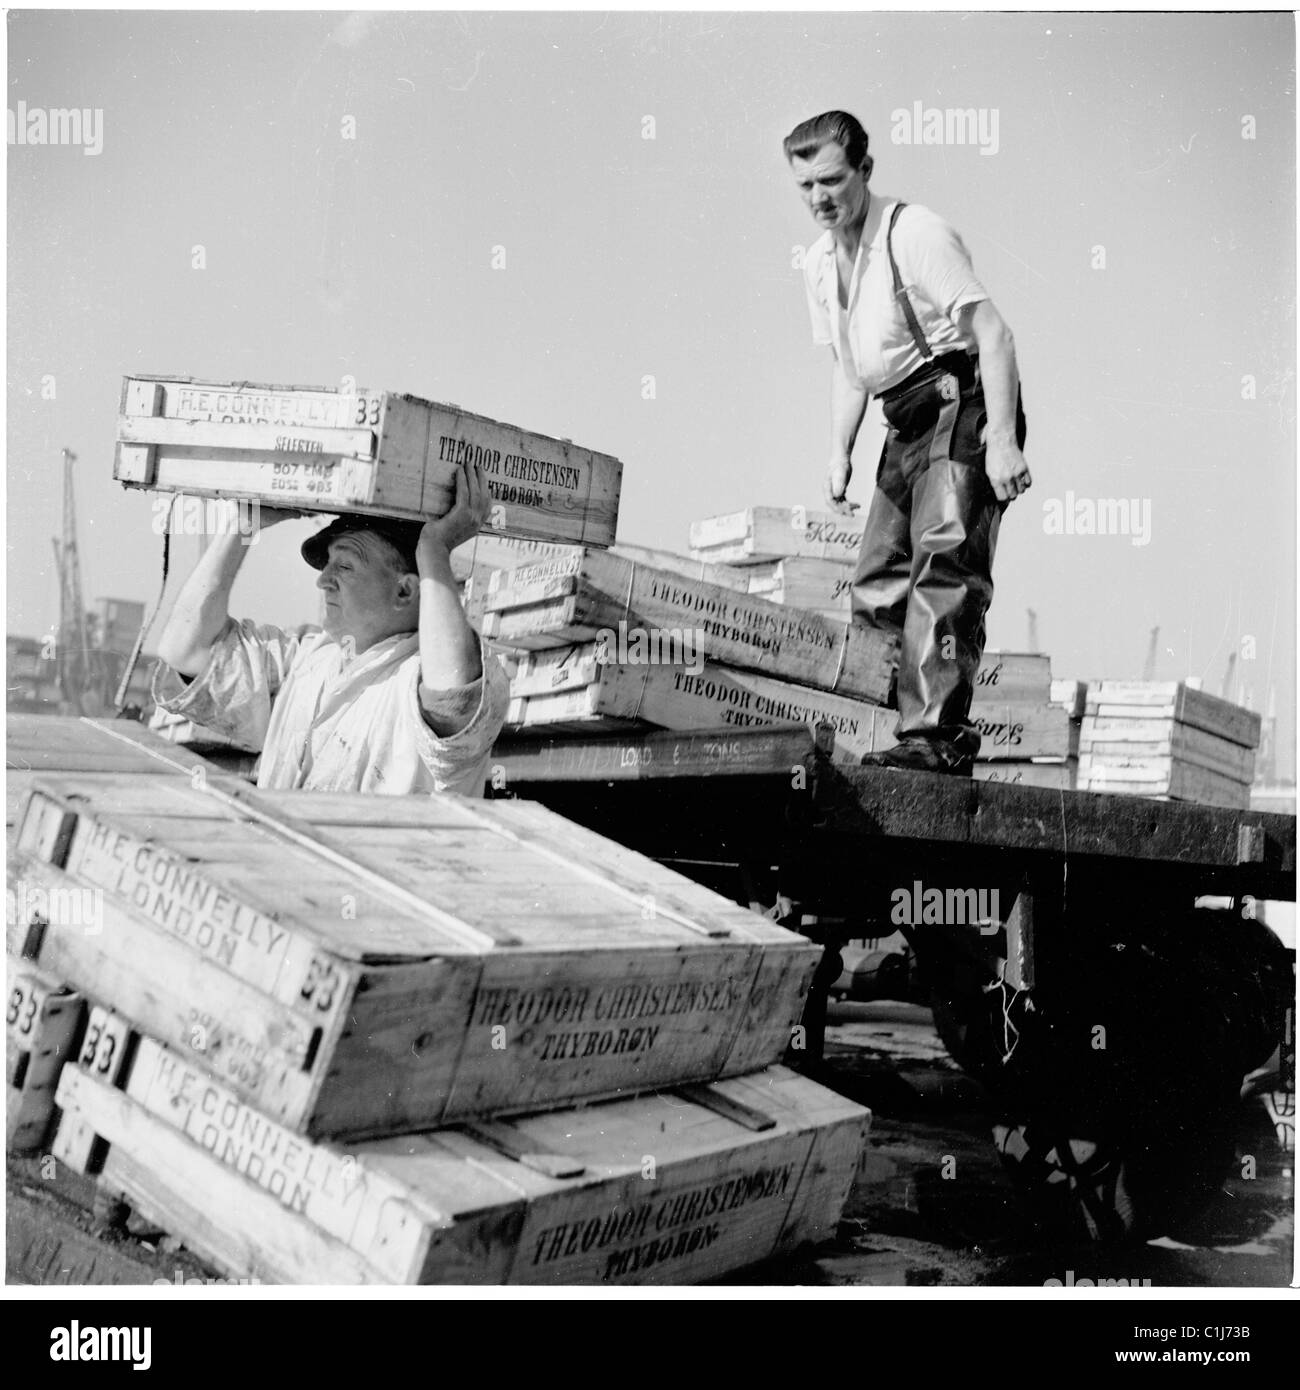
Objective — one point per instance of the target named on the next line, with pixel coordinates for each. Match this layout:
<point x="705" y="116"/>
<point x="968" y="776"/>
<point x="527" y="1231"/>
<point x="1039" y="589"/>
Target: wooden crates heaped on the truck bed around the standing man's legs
<point x="597" y="643"/>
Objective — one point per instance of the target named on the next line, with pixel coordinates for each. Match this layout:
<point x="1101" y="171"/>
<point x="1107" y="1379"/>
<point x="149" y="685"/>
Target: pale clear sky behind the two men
<point x="583" y="224"/>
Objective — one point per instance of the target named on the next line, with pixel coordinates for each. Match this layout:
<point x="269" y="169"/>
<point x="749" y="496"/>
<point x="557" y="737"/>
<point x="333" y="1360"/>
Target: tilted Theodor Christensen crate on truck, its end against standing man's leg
<point x="578" y="598"/>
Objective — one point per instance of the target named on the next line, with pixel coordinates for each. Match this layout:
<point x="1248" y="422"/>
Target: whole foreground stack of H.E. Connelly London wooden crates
<point x="339" y="1039"/>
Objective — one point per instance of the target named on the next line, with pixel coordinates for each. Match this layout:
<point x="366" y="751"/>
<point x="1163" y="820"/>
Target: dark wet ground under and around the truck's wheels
<point x="932" y="1206"/>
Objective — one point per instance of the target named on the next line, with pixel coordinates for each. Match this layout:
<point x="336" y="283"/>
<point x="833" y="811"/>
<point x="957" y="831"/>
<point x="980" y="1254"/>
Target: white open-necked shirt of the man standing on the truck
<point x="871" y="340"/>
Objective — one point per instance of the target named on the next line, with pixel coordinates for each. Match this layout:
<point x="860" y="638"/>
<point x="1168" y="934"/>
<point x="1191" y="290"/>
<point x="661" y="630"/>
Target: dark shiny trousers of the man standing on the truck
<point x="925" y="571"/>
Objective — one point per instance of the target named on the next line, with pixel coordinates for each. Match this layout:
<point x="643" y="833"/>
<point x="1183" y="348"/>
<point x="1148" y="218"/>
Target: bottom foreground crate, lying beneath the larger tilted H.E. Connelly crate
<point x="663" y="1189"/>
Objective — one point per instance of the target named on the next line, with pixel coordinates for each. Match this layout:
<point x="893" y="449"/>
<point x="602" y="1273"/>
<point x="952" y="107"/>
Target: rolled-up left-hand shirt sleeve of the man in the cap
<point x="234" y="693"/>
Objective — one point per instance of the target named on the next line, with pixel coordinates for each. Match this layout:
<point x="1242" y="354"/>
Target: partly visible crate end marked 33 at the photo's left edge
<point x="42" y="1031"/>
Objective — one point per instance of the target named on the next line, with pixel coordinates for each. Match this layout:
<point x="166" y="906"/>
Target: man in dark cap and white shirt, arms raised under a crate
<point x="394" y="694"/>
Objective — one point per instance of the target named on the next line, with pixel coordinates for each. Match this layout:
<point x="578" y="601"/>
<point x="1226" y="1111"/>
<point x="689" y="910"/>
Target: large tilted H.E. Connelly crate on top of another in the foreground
<point x="364" y="965"/>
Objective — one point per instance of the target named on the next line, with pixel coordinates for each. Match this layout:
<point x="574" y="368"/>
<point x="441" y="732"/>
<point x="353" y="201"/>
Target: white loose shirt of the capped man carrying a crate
<point x="327" y="723"/>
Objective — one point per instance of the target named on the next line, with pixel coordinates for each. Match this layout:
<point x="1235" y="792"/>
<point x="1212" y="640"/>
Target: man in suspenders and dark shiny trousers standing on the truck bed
<point x="893" y="294"/>
